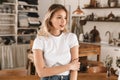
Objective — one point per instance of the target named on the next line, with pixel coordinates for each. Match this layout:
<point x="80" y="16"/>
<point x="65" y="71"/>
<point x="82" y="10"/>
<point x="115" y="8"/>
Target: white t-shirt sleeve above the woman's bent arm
<point x="38" y="43"/>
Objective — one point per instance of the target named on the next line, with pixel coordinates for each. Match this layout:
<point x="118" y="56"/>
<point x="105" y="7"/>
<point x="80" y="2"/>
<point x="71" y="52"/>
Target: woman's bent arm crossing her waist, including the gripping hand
<point x="44" y="71"/>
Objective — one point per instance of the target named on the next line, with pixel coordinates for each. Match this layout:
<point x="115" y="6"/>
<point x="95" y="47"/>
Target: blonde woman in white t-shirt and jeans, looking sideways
<point x="55" y="50"/>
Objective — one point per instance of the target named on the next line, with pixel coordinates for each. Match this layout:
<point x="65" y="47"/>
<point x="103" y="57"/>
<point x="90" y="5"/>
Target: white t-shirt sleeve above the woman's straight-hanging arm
<point x="73" y="41"/>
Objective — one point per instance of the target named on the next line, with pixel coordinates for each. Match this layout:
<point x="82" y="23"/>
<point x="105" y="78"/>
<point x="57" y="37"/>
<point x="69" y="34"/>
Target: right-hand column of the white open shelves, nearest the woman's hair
<point x="28" y="22"/>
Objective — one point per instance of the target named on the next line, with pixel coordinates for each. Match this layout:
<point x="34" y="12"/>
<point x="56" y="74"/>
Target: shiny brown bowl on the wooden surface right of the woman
<point x="96" y="69"/>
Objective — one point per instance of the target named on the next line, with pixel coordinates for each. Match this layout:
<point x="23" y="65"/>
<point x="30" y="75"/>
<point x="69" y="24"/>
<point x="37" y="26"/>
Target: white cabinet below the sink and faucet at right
<point x="113" y="51"/>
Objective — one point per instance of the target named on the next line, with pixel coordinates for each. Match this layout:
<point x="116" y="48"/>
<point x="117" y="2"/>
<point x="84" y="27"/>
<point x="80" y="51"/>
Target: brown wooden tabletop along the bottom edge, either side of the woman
<point x="81" y="76"/>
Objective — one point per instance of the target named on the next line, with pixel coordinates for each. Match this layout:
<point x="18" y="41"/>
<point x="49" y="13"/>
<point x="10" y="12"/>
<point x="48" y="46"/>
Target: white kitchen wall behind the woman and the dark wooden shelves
<point x="113" y="27"/>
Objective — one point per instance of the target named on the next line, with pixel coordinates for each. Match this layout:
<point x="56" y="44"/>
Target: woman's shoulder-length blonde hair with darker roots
<point x="46" y="24"/>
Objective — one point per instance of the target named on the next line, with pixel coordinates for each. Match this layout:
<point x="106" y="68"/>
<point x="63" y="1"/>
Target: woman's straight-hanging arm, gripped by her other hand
<point x="75" y="56"/>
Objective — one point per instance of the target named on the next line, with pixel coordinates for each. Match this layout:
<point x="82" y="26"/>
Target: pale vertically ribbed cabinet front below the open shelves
<point x="13" y="56"/>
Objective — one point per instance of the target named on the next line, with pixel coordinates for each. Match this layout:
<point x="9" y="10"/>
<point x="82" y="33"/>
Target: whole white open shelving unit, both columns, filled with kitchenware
<point x="19" y="21"/>
